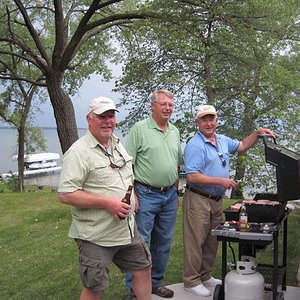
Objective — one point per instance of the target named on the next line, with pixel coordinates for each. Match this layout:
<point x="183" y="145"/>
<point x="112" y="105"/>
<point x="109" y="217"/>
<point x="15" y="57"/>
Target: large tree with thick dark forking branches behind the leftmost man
<point x="65" y="41"/>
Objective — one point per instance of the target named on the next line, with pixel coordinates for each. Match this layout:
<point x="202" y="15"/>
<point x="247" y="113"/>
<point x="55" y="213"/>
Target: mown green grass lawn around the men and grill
<point x="39" y="261"/>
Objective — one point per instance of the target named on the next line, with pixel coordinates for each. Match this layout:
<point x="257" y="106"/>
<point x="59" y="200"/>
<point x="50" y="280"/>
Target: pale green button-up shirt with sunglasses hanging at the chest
<point x="87" y="167"/>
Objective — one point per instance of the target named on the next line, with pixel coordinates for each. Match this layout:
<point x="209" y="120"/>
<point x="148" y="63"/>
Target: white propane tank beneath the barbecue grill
<point x="244" y="283"/>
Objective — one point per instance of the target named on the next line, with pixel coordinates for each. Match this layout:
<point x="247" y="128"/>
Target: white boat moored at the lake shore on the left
<point x="37" y="164"/>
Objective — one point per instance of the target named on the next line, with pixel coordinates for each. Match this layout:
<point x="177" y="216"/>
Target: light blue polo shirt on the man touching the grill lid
<point x="201" y="156"/>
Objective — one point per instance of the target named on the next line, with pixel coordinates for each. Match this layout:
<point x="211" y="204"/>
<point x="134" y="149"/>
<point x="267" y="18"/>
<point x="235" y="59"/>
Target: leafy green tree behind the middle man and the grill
<point x="236" y="55"/>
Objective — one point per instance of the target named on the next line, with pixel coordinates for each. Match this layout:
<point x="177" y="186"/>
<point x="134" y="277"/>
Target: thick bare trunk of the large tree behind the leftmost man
<point x="64" y="114"/>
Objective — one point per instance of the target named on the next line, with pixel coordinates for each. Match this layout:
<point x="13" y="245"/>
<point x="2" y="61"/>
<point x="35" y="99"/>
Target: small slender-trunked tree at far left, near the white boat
<point x="16" y="108"/>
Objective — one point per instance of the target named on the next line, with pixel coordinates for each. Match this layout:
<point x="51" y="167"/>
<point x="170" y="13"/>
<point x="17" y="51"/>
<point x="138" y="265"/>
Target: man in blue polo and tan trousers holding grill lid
<point x="206" y="159"/>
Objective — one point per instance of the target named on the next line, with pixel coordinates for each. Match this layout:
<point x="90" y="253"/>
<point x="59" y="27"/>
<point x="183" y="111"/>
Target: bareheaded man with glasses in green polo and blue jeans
<point x="155" y="146"/>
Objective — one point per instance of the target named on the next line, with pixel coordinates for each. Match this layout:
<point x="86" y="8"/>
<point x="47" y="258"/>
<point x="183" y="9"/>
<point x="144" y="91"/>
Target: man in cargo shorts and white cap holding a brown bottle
<point x="95" y="176"/>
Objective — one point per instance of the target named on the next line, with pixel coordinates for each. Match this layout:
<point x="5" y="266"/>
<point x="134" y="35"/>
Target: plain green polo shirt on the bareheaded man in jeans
<point x="156" y="154"/>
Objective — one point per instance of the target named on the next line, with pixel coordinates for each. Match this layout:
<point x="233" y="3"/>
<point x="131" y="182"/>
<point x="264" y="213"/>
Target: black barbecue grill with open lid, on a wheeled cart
<point x="287" y="164"/>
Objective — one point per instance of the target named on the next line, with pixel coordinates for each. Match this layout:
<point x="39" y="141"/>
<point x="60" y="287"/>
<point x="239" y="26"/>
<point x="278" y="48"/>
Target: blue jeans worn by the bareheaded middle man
<point x="156" y="221"/>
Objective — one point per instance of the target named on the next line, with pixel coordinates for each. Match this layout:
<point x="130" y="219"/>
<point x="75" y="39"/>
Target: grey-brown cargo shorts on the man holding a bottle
<point x="94" y="261"/>
